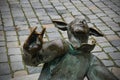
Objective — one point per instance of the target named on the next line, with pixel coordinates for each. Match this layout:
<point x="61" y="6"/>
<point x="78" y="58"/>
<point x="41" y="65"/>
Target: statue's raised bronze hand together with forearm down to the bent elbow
<point x="32" y="46"/>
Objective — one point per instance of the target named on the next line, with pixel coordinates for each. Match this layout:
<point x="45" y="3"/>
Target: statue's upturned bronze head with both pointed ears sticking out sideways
<point x="78" y="31"/>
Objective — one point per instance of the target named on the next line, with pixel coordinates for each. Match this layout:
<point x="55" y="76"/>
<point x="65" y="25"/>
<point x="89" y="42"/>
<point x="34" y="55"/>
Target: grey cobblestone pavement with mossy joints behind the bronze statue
<point x="16" y="16"/>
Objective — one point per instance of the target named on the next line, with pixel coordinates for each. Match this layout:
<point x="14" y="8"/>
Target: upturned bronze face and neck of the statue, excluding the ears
<point x="78" y="32"/>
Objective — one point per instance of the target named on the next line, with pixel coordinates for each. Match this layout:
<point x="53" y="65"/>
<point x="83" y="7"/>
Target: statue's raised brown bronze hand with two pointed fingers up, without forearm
<point x="34" y="40"/>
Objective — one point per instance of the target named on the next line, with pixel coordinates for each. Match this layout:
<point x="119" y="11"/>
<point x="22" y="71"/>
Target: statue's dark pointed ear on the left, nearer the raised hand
<point x="60" y="25"/>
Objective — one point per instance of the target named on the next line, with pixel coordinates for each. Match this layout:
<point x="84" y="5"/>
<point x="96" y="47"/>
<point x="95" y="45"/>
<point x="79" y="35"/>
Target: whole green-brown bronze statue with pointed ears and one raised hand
<point x="66" y="60"/>
